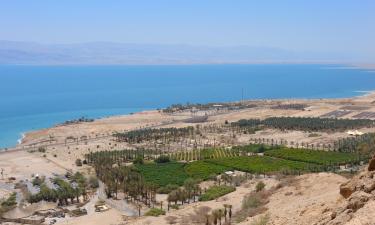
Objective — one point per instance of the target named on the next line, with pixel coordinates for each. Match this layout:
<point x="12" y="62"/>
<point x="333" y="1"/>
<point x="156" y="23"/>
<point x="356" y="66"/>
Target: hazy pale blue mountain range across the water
<point x="100" y="53"/>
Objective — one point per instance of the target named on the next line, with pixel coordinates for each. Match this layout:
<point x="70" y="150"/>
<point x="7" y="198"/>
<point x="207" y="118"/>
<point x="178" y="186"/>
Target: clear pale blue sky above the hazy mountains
<point x="346" y="26"/>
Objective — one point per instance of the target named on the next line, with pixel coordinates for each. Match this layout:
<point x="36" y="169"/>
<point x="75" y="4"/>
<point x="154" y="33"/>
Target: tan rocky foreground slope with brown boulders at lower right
<point x="323" y="199"/>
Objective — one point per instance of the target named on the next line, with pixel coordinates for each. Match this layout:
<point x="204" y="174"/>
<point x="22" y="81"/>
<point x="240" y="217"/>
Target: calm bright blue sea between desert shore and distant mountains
<point x="34" y="97"/>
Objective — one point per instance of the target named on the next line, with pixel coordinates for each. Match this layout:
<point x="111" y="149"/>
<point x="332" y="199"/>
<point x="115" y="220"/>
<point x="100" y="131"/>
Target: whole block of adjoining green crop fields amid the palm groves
<point x="218" y="161"/>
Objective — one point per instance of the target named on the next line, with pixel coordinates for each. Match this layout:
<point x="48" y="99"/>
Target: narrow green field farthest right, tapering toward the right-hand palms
<point x="313" y="156"/>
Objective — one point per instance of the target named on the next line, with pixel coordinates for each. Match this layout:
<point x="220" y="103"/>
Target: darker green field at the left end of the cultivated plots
<point x="163" y="174"/>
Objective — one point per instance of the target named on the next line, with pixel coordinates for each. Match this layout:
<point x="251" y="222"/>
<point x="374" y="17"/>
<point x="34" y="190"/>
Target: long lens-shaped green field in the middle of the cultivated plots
<point x="259" y="164"/>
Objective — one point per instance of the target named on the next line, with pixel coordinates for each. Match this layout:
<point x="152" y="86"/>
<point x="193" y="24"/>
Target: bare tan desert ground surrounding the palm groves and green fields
<point x="305" y="199"/>
